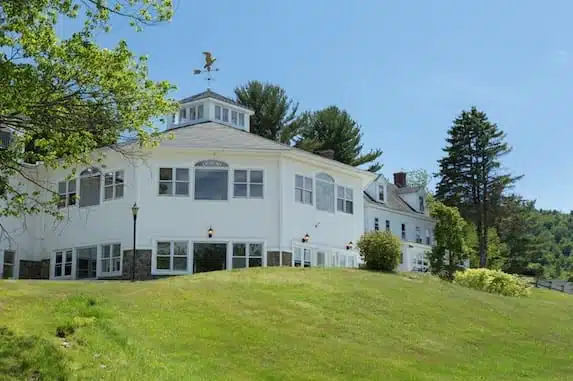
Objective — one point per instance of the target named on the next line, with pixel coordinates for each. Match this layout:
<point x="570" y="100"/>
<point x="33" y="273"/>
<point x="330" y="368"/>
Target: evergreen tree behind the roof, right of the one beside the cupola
<point x="334" y="129"/>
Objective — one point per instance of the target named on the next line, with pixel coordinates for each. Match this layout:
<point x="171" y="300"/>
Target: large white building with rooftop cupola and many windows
<point x="213" y="197"/>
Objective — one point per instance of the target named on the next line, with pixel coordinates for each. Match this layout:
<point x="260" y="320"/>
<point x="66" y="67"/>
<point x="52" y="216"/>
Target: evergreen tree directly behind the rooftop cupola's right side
<point x="275" y="112"/>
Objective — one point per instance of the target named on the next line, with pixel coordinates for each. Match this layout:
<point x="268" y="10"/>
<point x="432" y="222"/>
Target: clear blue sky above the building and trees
<point x="402" y="69"/>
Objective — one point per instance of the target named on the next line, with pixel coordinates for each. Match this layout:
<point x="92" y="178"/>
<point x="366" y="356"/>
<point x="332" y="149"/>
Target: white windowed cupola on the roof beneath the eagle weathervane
<point x="209" y="106"/>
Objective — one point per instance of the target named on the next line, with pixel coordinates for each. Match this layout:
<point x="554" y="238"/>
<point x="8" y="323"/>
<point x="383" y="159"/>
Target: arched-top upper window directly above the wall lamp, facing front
<point x="211" y="180"/>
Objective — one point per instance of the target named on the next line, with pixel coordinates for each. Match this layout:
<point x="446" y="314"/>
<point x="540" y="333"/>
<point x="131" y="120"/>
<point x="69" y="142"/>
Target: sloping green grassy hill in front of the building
<point x="281" y="324"/>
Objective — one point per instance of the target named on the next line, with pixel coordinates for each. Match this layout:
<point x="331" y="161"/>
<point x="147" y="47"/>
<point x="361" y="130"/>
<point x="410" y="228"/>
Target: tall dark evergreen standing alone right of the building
<point x="470" y="176"/>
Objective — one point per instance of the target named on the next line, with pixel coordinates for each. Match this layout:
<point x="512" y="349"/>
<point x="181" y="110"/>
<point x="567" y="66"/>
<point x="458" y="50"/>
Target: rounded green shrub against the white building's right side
<point x="380" y="250"/>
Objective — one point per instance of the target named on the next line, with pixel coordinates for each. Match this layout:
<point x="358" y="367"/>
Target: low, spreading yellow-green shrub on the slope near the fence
<point x="492" y="281"/>
